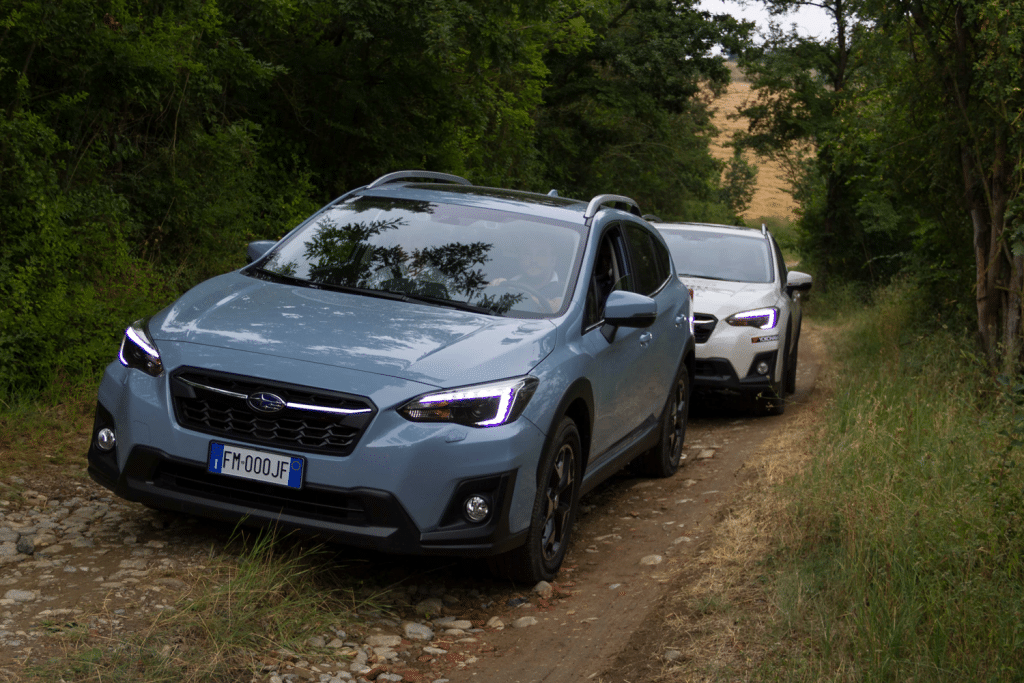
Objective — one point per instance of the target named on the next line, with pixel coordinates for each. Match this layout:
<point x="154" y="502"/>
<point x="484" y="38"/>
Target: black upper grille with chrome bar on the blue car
<point x="314" y="421"/>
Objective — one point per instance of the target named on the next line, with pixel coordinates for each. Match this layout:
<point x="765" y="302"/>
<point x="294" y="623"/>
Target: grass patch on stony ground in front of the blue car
<point x="240" y="616"/>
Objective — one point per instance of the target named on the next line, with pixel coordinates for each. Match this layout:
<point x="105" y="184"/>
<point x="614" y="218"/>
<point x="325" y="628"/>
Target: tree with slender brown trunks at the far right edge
<point x="959" y="70"/>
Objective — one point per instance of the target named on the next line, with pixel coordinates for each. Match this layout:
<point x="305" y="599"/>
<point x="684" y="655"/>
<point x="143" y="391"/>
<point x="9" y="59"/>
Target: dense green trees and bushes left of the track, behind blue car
<point x="144" y="143"/>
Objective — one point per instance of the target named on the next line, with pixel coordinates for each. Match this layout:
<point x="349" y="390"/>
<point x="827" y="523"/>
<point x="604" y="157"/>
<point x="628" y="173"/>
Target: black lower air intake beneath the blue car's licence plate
<point x="310" y="502"/>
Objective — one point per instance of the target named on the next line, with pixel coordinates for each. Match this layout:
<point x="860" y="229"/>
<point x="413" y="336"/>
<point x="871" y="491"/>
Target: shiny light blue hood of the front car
<point x="423" y="344"/>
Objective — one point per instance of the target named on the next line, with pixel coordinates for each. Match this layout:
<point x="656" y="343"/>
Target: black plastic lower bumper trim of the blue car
<point x="362" y="518"/>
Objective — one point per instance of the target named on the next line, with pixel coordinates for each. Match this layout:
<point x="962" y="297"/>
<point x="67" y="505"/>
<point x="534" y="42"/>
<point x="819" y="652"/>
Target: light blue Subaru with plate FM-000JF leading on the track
<point x="422" y="367"/>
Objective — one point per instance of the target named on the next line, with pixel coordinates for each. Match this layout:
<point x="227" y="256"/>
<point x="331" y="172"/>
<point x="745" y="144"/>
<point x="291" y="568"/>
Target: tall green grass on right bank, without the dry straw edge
<point x="906" y="557"/>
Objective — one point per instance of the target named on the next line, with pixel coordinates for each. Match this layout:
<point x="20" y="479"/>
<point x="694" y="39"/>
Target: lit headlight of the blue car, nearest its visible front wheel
<point x="481" y="406"/>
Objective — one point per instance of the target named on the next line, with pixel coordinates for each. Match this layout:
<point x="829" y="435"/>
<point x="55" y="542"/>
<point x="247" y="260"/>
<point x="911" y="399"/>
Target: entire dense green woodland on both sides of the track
<point x="143" y="144"/>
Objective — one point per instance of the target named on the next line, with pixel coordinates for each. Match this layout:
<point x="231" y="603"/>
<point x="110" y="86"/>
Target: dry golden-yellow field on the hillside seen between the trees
<point x="771" y="199"/>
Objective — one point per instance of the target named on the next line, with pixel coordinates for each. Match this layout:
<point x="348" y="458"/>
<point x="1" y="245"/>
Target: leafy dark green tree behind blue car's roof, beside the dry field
<point x="626" y="112"/>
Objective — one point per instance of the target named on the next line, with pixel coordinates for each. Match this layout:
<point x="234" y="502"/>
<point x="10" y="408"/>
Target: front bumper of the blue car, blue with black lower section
<point x="402" y="491"/>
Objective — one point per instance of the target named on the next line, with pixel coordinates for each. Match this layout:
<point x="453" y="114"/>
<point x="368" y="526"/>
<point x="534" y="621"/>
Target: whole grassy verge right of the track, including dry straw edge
<point x="883" y="543"/>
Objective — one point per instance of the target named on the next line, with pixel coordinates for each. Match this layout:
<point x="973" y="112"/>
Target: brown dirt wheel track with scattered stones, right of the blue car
<point x="637" y="534"/>
